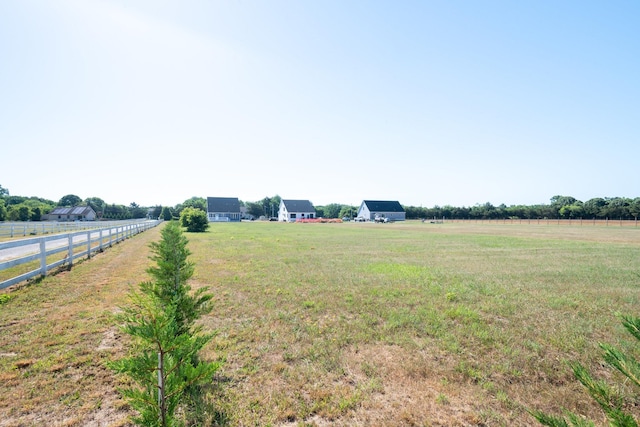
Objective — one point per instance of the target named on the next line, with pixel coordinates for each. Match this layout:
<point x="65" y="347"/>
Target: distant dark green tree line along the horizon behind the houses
<point x="18" y="208"/>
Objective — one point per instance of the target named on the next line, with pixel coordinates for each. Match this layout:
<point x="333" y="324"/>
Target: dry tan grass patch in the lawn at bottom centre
<point x="409" y="388"/>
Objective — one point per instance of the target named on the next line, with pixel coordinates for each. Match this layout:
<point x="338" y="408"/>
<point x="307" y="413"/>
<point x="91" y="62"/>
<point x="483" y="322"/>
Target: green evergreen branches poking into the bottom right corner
<point x="610" y="402"/>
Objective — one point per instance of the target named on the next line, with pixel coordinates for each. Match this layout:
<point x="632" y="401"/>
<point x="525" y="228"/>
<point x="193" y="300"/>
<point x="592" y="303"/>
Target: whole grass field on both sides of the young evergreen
<point x="344" y="324"/>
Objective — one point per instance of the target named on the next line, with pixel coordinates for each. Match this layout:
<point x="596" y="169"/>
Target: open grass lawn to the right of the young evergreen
<point x="322" y="320"/>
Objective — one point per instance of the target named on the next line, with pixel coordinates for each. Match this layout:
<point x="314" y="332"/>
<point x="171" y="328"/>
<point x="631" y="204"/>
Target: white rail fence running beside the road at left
<point x="54" y="251"/>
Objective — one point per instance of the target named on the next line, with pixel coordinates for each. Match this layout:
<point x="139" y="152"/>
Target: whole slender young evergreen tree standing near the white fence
<point x="164" y="364"/>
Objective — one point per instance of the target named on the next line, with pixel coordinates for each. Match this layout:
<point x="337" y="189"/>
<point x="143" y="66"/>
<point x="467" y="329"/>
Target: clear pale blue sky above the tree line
<point x="424" y="102"/>
